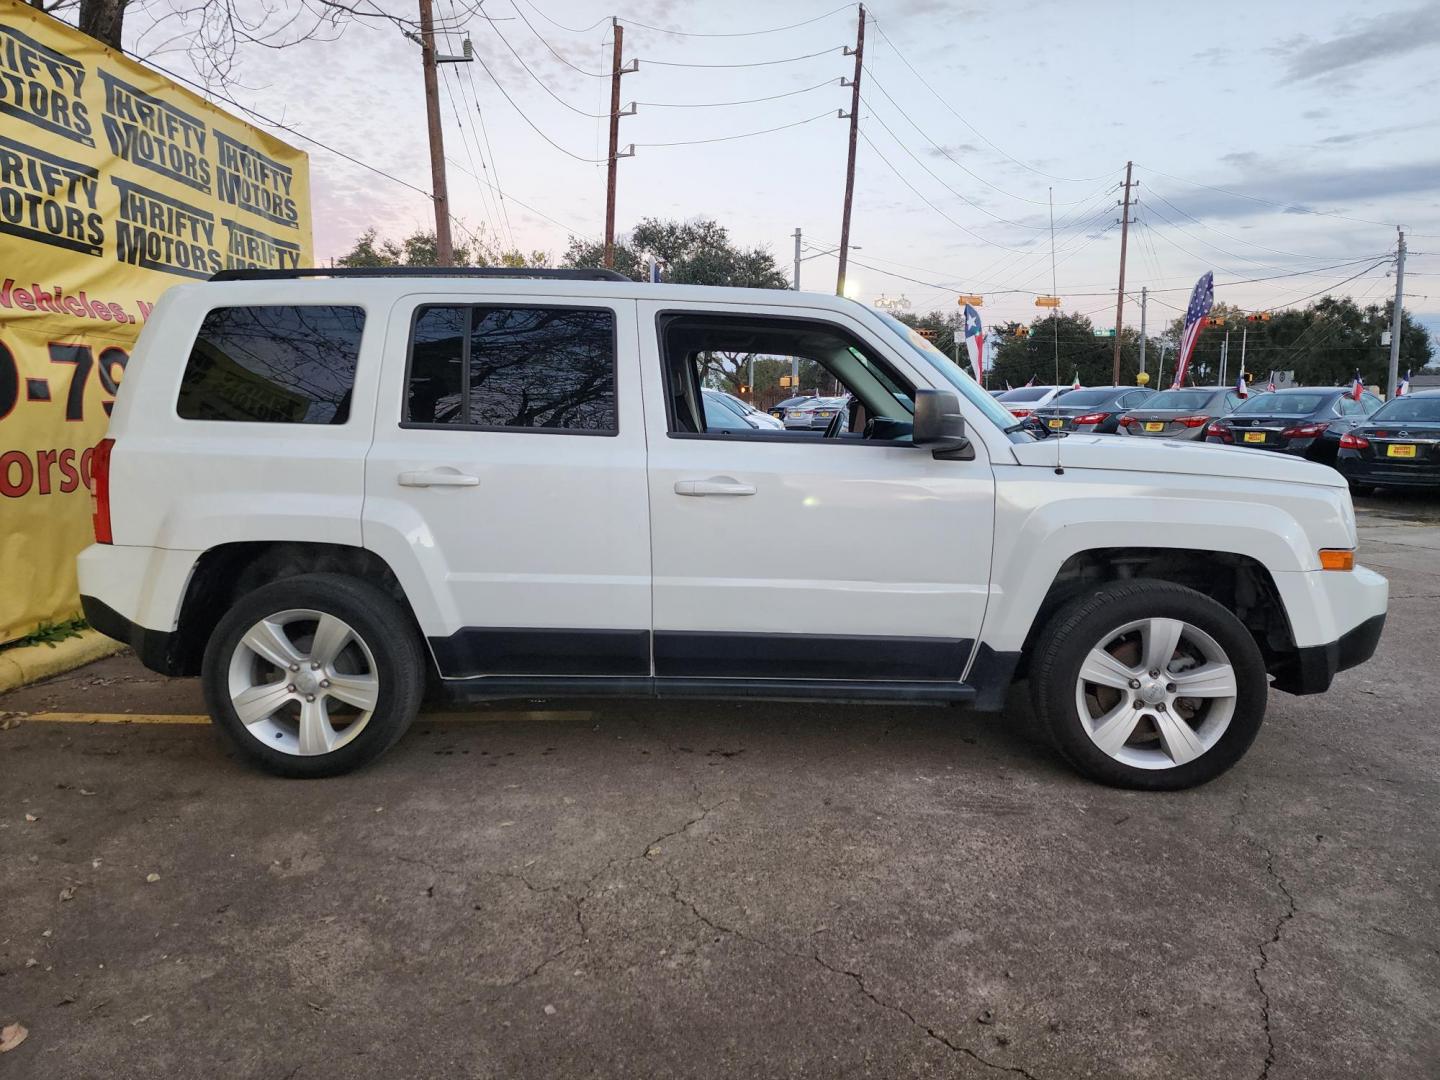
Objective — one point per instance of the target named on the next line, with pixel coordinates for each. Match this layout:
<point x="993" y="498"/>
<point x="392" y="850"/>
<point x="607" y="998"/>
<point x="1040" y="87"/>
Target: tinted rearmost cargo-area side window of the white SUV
<point x="273" y="365"/>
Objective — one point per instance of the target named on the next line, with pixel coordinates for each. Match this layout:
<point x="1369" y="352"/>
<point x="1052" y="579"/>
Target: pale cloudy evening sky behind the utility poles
<point x="1278" y="142"/>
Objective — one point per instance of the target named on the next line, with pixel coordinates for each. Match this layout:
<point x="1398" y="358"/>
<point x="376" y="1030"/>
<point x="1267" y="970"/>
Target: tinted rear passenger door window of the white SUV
<point x="548" y="369"/>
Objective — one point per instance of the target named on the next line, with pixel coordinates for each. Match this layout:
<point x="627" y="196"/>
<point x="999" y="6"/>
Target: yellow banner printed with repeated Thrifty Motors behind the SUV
<point x="114" y="185"/>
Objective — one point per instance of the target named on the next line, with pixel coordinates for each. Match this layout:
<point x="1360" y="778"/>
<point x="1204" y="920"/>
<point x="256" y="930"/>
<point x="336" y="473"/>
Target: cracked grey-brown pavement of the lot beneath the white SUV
<point x="673" y="889"/>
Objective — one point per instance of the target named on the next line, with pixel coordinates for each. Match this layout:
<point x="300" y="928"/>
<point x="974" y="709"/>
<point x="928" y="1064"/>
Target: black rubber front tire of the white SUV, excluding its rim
<point x="1084" y="623"/>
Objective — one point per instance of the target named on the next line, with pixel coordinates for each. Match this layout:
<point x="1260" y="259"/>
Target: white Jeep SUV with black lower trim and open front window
<point x="326" y="492"/>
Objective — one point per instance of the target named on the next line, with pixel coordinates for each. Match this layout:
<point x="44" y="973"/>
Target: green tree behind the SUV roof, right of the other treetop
<point x="696" y="253"/>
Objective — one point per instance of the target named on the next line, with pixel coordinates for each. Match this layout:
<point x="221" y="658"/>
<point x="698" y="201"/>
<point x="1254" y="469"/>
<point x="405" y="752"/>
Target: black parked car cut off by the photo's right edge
<point x="1398" y="447"/>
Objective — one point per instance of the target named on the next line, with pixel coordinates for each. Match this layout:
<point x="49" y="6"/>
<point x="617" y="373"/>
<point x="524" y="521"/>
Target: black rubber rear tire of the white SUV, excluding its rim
<point x="384" y="626"/>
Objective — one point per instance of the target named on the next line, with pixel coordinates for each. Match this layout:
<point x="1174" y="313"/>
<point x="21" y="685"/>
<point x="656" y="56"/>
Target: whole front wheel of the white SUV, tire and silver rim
<point x="1148" y="685"/>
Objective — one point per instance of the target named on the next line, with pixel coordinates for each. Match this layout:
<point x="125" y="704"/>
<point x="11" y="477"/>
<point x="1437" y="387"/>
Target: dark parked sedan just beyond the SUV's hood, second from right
<point x="1305" y="421"/>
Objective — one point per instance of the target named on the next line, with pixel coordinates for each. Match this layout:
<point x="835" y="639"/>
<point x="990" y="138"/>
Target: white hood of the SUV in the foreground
<point x="1184" y="459"/>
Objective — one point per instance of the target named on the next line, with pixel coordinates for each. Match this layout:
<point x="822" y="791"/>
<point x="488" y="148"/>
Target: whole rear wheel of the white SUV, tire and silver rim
<point x="315" y="676"/>
